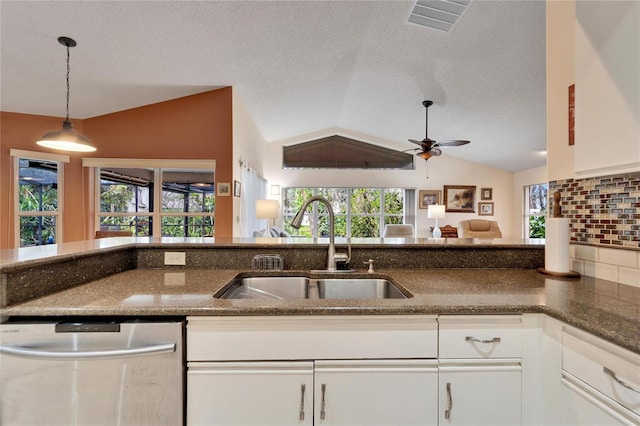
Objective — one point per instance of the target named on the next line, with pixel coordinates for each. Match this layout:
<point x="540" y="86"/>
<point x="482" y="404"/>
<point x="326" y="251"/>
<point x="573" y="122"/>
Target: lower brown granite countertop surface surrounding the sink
<point x="604" y="308"/>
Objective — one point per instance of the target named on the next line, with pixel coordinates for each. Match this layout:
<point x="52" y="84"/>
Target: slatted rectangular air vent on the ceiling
<point x="438" y="14"/>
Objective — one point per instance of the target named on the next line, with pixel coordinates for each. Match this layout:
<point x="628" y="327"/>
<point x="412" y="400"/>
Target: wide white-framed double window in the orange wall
<point x="128" y="198"/>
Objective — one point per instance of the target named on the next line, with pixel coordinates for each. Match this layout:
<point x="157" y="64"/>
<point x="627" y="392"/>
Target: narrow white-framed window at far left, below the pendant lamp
<point x="38" y="197"/>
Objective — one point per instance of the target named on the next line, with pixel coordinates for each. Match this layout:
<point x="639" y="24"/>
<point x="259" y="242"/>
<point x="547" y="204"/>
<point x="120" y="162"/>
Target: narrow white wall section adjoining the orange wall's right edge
<point x="249" y="146"/>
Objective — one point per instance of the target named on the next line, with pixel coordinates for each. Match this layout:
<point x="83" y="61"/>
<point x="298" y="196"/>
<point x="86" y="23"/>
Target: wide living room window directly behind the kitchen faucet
<point x="359" y="212"/>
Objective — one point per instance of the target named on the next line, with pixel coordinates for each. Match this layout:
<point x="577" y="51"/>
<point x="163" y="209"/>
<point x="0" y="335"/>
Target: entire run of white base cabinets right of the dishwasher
<point x="406" y="370"/>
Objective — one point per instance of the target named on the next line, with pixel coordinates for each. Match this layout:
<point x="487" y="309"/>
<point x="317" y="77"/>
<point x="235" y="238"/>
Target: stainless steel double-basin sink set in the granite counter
<point x="300" y="287"/>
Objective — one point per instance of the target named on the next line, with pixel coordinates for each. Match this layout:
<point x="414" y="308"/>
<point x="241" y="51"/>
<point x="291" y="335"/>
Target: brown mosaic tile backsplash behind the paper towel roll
<point x="602" y="210"/>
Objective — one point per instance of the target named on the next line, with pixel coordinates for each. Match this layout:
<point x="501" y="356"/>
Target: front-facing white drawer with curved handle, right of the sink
<point x="480" y="336"/>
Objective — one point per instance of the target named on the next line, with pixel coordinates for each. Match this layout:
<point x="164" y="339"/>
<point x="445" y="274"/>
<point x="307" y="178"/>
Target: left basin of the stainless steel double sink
<point x="267" y="288"/>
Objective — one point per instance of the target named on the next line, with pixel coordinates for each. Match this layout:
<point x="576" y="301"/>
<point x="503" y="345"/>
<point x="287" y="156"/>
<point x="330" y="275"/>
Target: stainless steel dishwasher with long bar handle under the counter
<point x="94" y="372"/>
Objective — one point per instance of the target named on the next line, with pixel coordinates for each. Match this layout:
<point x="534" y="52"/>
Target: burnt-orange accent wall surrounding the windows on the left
<point x="192" y="127"/>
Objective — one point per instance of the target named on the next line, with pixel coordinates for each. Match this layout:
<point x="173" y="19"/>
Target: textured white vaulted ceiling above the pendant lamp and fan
<point x="298" y="66"/>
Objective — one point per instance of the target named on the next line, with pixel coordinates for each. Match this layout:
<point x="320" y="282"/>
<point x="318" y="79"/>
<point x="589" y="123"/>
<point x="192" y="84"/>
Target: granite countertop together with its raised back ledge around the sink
<point x="126" y="276"/>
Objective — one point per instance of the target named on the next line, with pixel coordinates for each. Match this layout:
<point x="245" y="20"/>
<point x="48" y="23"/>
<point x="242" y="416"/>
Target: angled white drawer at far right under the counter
<point x="611" y="370"/>
